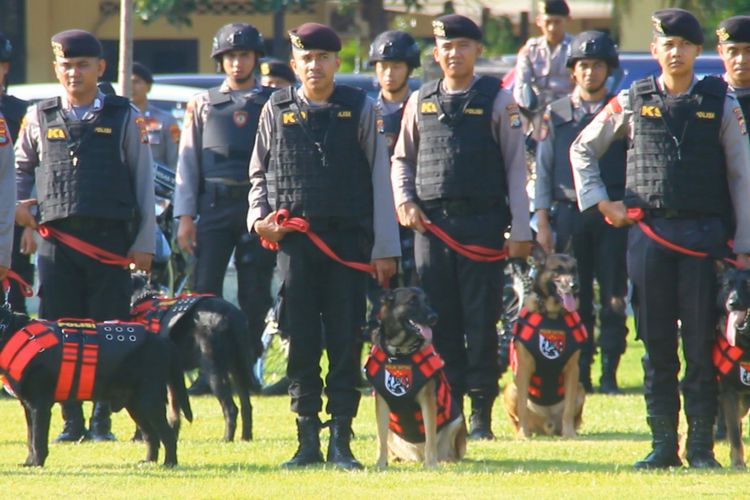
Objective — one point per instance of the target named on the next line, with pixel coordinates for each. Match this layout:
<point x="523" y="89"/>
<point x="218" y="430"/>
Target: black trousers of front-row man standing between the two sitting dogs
<point x="467" y="296"/>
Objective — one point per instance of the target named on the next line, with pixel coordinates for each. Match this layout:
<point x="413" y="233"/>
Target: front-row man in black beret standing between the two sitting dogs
<point x="459" y="162"/>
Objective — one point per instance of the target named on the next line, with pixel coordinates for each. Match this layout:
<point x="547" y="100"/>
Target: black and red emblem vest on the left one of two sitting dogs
<point x="399" y="379"/>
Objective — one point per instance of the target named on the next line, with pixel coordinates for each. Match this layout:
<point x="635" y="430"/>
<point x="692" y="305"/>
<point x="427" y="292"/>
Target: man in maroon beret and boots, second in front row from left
<point x="319" y="155"/>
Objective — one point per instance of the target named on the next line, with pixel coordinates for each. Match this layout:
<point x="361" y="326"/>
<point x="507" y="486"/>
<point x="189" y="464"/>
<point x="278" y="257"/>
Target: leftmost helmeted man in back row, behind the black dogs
<point x="212" y="180"/>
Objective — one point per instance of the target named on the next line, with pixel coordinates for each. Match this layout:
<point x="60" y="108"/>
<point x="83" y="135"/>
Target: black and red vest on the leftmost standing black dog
<point x="85" y="355"/>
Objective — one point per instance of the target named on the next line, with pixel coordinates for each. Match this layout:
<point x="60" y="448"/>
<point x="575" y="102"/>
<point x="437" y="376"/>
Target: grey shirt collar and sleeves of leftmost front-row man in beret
<point x="134" y="152"/>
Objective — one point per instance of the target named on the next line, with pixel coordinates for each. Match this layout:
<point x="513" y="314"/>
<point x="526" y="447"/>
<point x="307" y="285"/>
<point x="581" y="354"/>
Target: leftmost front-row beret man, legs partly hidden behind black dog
<point x="88" y="157"/>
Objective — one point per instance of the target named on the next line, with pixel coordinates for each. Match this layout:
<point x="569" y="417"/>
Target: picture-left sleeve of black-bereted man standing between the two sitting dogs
<point x="404" y="159"/>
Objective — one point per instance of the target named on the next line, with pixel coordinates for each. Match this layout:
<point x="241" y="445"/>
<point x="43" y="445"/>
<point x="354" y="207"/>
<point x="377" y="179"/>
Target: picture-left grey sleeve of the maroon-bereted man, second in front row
<point x="258" y="196"/>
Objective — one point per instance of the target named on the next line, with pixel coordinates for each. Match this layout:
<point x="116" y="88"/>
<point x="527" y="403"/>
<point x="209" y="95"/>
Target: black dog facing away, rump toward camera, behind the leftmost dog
<point x="208" y="332"/>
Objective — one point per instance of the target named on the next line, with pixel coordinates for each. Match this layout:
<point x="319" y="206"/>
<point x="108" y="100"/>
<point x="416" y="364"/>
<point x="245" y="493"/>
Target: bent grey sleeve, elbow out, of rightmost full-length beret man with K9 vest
<point x="612" y="123"/>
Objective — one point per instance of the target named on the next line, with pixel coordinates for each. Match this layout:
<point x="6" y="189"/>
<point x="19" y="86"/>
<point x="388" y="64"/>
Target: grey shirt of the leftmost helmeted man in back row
<point x="188" y="177"/>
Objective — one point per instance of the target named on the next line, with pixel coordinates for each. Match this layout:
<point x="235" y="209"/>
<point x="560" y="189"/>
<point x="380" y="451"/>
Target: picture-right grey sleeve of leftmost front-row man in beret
<point x="137" y="156"/>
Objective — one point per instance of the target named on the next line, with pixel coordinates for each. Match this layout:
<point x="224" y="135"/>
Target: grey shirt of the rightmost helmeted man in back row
<point x="545" y="150"/>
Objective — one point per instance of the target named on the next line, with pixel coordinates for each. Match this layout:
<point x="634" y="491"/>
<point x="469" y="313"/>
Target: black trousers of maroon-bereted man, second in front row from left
<point x="322" y="304"/>
